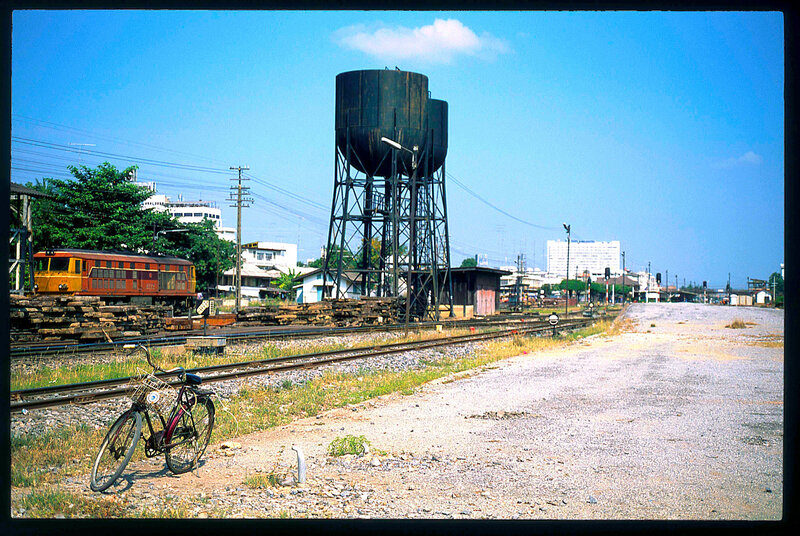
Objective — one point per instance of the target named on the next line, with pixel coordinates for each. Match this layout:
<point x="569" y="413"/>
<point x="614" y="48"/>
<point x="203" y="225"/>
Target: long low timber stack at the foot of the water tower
<point x="341" y="312"/>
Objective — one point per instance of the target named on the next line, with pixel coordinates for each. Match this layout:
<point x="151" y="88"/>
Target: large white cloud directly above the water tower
<point x="439" y="42"/>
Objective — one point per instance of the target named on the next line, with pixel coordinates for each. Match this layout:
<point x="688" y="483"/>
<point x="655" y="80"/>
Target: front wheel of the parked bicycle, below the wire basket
<point x="116" y="450"/>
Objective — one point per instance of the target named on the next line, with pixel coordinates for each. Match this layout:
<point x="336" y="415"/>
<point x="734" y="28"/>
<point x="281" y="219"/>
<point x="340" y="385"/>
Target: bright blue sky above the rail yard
<point x="663" y="130"/>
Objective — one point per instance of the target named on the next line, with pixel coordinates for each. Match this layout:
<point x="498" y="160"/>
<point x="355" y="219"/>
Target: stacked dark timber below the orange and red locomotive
<point x="80" y="318"/>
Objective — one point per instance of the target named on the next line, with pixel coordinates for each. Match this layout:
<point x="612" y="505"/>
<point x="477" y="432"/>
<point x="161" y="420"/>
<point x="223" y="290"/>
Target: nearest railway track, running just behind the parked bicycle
<point x="89" y="392"/>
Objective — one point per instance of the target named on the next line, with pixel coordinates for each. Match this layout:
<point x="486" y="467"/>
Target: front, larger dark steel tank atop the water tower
<point x="371" y="104"/>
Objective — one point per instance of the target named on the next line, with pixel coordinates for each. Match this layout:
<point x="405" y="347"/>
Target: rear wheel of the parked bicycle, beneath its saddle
<point x="192" y="432"/>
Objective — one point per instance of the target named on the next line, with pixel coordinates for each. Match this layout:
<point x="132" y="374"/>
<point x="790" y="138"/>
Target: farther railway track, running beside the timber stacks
<point x="21" y="351"/>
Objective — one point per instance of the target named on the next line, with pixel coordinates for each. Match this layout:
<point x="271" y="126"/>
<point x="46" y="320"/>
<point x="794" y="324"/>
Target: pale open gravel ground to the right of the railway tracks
<point x="678" y="417"/>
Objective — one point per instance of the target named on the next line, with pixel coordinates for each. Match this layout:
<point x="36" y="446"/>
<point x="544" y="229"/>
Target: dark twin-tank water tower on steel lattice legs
<point x="388" y="231"/>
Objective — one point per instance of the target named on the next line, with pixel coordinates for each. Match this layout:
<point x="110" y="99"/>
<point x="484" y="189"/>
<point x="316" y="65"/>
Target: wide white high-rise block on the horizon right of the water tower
<point x="583" y="255"/>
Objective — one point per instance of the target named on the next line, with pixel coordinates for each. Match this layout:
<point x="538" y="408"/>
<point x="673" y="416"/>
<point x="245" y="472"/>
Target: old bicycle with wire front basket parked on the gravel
<point x="186" y="422"/>
